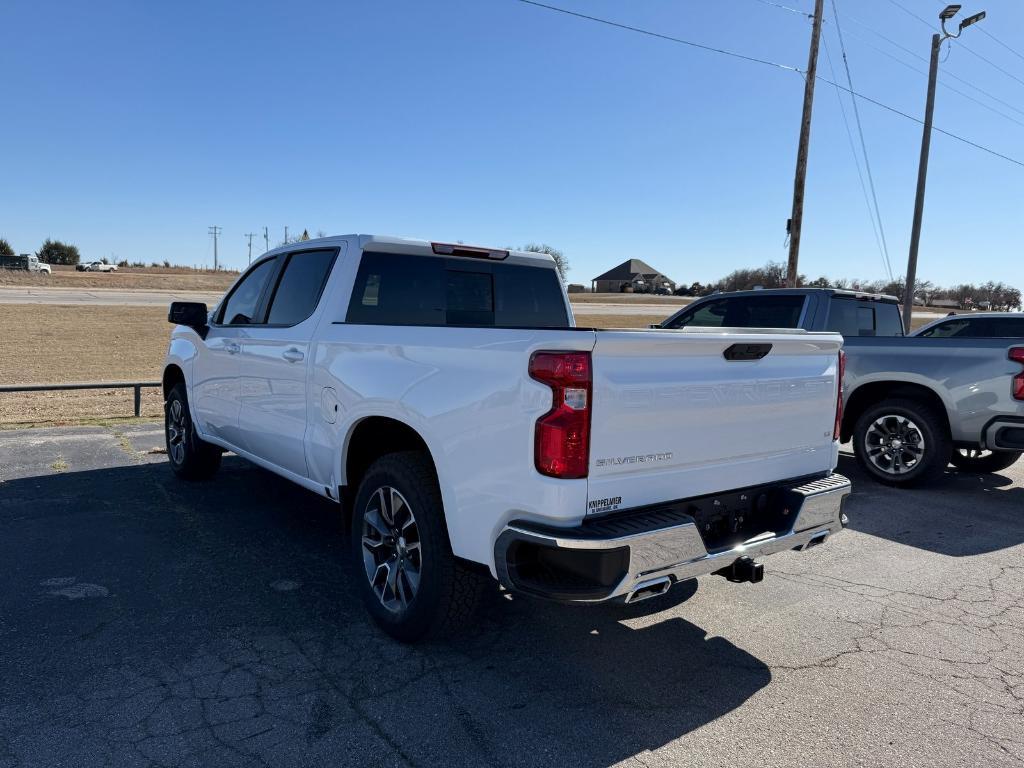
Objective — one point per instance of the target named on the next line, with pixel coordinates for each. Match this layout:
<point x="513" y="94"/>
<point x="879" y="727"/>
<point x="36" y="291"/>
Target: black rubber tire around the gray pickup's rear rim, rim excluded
<point x="932" y="429"/>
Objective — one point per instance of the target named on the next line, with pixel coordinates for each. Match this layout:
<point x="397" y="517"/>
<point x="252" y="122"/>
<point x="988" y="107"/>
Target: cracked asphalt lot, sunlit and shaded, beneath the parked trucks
<point x="146" y="622"/>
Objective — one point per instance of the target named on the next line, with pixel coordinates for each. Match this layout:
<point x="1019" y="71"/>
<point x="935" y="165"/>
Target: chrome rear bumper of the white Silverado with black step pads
<point x="636" y="556"/>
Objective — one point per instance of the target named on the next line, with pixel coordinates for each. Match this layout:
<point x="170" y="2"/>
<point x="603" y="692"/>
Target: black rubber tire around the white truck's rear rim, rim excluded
<point x="449" y="592"/>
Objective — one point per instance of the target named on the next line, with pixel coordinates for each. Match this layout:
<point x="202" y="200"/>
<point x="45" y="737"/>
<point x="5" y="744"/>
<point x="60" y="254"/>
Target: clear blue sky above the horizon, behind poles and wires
<point x="131" y="127"/>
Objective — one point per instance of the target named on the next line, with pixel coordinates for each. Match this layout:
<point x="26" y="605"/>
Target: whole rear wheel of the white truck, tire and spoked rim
<point x="410" y="582"/>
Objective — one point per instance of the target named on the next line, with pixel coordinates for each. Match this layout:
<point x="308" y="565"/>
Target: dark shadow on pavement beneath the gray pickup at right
<point x="964" y="515"/>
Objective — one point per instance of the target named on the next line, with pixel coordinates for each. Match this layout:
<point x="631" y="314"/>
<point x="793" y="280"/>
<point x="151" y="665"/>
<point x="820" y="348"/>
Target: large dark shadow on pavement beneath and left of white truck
<point x="147" y="620"/>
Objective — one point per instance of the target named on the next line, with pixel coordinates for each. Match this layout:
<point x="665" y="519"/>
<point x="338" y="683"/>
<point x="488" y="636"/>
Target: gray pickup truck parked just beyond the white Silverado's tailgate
<point x="913" y="405"/>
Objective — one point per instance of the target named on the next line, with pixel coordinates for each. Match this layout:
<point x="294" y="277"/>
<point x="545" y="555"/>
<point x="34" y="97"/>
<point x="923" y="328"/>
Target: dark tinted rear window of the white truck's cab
<point x="403" y="290"/>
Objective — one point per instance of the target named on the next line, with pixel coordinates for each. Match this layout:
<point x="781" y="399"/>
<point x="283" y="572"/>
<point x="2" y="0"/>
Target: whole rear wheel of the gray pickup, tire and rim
<point x="903" y="443"/>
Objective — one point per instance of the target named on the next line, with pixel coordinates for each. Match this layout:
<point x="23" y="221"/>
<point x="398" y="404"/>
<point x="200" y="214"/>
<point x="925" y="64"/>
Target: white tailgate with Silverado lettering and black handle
<point x="674" y="417"/>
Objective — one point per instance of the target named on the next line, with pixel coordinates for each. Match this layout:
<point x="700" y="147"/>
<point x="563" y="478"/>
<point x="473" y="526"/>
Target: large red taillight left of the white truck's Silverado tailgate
<point x="562" y="438"/>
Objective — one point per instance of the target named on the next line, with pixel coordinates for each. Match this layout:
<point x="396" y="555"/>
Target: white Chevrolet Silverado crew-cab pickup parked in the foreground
<point x="443" y="396"/>
